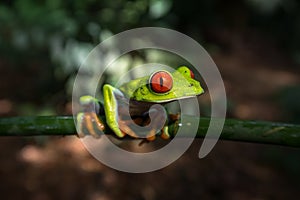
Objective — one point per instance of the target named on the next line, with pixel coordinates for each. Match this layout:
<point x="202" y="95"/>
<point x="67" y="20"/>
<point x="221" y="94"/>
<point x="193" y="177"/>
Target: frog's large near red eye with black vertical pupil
<point x="161" y="82"/>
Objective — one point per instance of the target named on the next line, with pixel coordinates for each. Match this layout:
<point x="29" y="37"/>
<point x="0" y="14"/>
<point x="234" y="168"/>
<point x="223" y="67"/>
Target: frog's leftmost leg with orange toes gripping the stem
<point x="88" y="121"/>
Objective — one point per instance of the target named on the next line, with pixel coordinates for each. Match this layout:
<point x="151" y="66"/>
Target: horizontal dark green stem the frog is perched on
<point x="234" y="129"/>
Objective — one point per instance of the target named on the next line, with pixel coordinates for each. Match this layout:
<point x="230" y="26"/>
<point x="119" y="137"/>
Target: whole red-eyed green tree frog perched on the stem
<point x="136" y="97"/>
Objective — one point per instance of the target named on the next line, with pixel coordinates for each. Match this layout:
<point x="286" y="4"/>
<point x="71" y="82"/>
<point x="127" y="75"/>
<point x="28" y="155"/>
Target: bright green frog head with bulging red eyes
<point x="163" y="86"/>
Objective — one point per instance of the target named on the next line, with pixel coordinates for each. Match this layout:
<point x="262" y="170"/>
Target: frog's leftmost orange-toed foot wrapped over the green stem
<point x="89" y="124"/>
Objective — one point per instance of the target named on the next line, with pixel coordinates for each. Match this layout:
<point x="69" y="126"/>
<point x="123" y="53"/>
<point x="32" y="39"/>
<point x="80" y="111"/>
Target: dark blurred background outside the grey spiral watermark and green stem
<point x="255" y="44"/>
